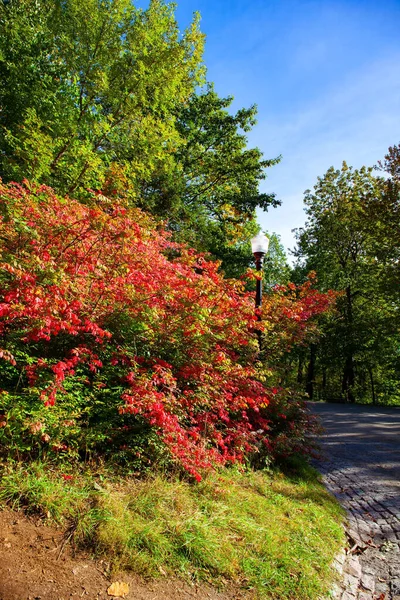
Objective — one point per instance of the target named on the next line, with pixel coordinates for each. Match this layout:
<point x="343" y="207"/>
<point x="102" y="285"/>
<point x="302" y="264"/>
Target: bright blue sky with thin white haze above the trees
<point x="325" y="76"/>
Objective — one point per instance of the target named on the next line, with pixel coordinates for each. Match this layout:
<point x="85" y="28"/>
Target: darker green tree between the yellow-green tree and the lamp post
<point x="211" y="197"/>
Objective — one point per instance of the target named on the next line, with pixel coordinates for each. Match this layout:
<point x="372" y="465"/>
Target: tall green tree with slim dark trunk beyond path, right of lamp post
<point x="339" y="241"/>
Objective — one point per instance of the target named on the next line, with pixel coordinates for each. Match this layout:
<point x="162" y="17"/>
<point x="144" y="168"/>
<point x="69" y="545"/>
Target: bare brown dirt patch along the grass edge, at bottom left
<point x="37" y="564"/>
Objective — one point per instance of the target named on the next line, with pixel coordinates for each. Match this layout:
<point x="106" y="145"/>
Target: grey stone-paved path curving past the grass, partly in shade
<point x="360" y="463"/>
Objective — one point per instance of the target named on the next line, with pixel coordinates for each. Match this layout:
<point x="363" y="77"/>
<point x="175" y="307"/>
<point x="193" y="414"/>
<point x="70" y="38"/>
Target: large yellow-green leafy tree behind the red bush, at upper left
<point x="89" y="102"/>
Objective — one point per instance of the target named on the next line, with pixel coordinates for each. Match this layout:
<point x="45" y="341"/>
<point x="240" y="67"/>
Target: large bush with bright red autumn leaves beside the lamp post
<point x="117" y="341"/>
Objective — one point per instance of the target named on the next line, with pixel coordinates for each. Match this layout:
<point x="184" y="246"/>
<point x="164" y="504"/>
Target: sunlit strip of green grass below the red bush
<point x="273" y="533"/>
